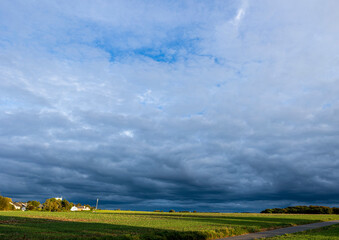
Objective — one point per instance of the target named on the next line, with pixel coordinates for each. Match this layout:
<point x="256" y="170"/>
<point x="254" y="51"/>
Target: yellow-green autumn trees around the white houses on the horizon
<point x="51" y="205"/>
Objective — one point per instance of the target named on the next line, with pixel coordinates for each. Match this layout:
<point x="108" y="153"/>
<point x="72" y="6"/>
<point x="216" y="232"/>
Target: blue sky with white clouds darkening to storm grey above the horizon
<point x="190" y="105"/>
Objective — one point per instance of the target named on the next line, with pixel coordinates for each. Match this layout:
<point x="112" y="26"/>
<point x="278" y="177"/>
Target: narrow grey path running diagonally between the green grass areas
<point x="281" y="231"/>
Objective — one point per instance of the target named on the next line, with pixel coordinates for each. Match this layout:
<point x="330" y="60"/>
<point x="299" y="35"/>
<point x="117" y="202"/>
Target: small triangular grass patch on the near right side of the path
<point x="325" y="233"/>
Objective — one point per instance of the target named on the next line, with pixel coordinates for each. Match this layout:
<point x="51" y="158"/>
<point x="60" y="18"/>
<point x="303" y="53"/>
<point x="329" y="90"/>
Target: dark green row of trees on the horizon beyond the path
<point x="304" y="210"/>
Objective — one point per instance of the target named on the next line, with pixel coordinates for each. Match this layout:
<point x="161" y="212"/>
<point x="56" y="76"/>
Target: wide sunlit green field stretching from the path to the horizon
<point x="141" y="225"/>
